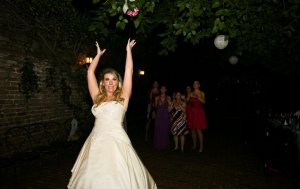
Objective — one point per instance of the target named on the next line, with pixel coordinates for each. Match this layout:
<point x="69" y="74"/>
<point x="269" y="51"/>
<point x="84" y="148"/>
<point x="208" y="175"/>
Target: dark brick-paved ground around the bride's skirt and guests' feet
<point x="226" y="163"/>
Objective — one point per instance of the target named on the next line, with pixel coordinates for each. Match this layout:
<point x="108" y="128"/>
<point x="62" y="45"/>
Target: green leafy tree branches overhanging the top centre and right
<point x="263" y="28"/>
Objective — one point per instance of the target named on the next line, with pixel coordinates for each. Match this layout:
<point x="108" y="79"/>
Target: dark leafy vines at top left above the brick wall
<point x="56" y="25"/>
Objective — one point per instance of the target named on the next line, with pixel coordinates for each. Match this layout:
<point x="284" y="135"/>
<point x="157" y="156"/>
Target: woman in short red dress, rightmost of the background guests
<point x="196" y="116"/>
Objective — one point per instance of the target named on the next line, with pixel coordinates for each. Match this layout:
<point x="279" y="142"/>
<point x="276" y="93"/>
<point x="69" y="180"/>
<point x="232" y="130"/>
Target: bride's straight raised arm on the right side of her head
<point x="127" y="81"/>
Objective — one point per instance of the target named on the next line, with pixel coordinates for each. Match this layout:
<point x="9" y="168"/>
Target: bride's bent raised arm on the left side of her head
<point x="91" y="78"/>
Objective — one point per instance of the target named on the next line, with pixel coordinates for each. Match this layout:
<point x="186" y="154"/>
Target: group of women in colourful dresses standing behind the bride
<point x="176" y="116"/>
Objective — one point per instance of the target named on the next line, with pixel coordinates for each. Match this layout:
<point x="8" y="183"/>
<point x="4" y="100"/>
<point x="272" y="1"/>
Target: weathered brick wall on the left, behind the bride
<point x="43" y="106"/>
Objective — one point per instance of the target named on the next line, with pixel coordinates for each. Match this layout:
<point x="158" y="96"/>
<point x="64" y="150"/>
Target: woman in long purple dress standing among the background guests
<point x="162" y="120"/>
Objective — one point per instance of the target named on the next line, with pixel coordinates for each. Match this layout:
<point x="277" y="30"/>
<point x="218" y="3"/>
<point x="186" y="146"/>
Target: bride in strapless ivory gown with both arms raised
<point x="107" y="158"/>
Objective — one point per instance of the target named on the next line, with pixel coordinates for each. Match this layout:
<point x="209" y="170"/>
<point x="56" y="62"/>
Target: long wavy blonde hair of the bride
<point x="102" y="96"/>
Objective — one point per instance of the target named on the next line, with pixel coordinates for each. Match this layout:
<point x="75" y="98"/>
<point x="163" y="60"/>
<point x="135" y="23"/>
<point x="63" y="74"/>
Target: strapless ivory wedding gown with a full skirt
<point x="107" y="159"/>
